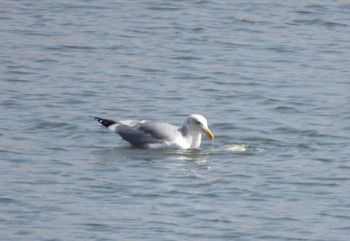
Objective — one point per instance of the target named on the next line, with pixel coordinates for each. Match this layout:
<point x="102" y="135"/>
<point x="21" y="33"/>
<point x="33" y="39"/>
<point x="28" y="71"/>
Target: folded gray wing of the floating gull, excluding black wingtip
<point x="149" y="132"/>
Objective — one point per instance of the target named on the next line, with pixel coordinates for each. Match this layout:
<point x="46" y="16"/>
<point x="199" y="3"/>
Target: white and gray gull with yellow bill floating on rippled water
<point x="155" y="134"/>
